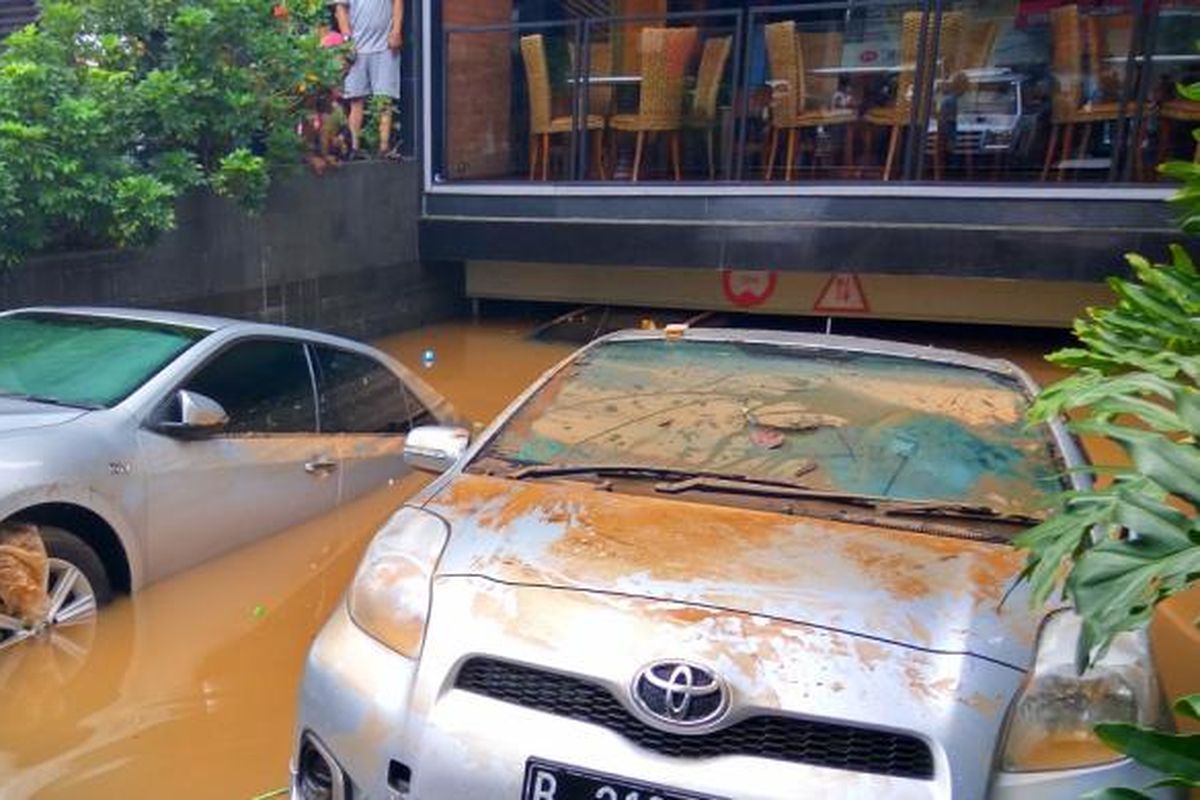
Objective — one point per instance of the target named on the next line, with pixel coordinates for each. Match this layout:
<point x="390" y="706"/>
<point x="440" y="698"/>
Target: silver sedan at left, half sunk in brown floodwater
<point x="142" y="443"/>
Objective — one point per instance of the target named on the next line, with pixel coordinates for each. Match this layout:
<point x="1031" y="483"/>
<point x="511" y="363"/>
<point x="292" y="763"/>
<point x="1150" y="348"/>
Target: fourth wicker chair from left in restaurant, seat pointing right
<point x="790" y="97"/>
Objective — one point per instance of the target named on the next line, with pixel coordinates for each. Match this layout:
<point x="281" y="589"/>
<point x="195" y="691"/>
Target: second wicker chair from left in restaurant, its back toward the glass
<point x="665" y="55"/>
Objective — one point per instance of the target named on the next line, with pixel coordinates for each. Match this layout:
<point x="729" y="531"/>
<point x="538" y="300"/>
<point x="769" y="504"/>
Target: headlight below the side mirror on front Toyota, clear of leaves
<point x="389" y="598"/>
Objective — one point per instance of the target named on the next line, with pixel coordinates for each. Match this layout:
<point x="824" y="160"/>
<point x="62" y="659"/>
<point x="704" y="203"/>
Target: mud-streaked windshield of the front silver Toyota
<point x="848" y="423"/>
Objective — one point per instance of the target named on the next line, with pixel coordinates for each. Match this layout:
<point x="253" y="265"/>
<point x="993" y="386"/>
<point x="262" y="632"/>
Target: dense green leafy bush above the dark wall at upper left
<point x="111" y="110"/>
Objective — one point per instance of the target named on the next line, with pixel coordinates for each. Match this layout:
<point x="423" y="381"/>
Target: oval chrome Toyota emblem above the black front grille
<point x="681" y="694"/>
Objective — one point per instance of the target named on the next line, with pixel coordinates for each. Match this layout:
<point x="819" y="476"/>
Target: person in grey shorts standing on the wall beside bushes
<point x="375" y="29"/>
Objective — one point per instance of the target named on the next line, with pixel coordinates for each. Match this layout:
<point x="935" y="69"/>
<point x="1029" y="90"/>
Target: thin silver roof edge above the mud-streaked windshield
<point x="831" y="342"/>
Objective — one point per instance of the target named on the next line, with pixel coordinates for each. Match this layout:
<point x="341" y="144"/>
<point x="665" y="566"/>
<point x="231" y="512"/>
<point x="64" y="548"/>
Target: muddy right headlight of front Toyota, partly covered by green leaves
<point x="1051" y="727"/>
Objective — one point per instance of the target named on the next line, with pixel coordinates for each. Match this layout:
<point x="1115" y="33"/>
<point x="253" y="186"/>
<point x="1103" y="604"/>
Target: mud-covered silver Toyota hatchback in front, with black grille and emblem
<point x="709" y="564"/>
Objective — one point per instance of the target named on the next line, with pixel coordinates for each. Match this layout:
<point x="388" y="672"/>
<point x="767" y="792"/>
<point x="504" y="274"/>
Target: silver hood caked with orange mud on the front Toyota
<point x="931" y="593"/>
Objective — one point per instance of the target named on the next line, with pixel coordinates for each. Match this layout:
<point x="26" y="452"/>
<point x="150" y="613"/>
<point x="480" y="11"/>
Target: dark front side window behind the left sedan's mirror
<point x="265" y="387"/>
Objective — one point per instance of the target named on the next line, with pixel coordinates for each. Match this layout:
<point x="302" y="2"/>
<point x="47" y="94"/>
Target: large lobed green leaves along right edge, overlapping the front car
<point x="1119" y="551"/>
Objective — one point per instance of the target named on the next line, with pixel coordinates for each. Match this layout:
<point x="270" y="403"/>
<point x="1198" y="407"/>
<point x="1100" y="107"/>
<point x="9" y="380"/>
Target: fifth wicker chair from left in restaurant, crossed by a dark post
<point x="898" y="116"/>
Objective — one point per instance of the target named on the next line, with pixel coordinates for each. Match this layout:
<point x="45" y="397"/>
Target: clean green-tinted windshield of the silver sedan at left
<point x="85" y="362"/>
